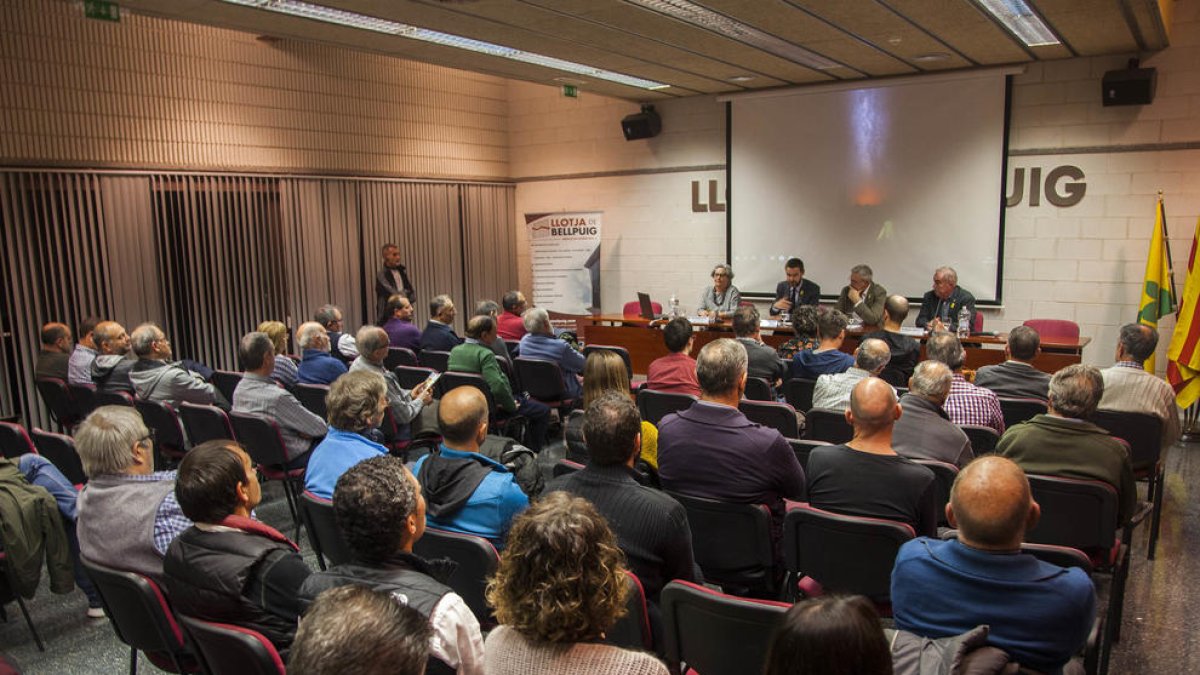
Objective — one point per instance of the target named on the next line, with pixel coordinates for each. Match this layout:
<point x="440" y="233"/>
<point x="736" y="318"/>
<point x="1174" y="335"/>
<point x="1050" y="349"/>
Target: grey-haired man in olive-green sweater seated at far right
<point x="1063" y="443"/>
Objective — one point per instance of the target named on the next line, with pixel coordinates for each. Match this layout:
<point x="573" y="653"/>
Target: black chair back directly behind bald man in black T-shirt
<point x="844" y="554"/>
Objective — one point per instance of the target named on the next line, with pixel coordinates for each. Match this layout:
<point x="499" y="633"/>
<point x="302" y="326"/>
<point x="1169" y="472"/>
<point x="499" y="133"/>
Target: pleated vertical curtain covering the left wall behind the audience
<point x="209" y="256"/>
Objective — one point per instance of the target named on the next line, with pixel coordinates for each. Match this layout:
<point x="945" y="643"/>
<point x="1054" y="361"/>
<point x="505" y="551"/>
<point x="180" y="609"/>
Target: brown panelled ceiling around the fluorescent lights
<point x="862" y="39"/>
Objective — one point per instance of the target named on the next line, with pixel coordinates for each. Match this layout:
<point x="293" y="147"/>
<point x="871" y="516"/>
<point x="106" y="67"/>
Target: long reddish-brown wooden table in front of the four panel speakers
<point x="644" y="341"/>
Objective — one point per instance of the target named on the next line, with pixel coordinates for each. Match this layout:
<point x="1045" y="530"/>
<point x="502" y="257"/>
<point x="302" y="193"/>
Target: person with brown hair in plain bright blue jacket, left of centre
<point x="356" y="404"/>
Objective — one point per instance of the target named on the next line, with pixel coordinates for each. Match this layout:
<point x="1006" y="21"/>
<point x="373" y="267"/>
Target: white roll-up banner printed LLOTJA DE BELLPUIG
<point x="565" y="250"/>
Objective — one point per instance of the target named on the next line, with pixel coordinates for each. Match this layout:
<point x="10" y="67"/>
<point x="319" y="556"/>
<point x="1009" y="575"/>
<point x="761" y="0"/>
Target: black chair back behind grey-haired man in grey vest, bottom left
<point x="141" y="614"/>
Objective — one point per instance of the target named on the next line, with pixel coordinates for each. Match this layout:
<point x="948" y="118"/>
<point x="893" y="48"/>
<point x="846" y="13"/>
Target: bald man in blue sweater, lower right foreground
<point x="1041" y="614"/>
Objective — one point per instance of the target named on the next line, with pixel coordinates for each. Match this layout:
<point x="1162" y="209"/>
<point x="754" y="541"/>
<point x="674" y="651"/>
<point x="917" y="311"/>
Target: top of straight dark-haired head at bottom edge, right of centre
<point x="830" y="635"/>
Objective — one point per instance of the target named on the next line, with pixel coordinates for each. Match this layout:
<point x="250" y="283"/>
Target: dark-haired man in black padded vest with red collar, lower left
<point x="230" y="568"/>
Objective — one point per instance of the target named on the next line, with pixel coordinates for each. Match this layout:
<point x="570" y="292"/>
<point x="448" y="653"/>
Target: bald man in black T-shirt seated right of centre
<point x="866" y="476"/>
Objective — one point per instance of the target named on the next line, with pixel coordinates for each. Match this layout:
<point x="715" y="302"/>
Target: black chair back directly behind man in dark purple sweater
<point x="733" y="543"/>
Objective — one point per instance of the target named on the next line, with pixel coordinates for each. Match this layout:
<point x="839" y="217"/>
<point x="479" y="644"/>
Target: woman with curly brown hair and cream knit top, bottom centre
<point x="560" y="586"/>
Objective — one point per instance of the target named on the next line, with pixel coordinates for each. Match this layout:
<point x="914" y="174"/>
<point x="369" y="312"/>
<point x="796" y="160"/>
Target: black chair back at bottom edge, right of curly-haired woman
<point x="717" y="634"/>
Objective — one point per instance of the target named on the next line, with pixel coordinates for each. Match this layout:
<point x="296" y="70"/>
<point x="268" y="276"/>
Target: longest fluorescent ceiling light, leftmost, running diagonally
<point x="363" y="22"/>
